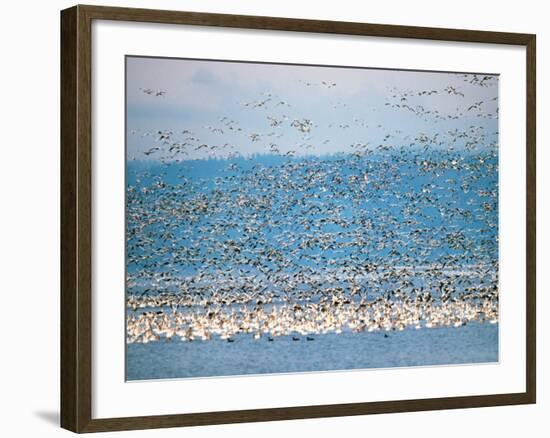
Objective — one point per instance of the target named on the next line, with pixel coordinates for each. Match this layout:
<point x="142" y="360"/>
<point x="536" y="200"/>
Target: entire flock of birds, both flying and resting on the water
<point x="401" y="233"/>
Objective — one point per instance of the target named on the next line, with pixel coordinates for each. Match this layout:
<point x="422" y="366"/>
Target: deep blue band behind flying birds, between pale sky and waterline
<point x="409" y="213"/>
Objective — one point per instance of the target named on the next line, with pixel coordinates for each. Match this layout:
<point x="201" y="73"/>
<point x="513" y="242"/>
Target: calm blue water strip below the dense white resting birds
<point x="473" y="343"/>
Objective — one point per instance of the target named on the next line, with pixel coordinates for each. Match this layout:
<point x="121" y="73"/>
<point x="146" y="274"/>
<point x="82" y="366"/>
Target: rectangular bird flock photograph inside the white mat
<point x="290" y="218"/>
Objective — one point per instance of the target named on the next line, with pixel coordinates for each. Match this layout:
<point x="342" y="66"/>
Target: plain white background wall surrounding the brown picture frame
<point x="29" y="218"/>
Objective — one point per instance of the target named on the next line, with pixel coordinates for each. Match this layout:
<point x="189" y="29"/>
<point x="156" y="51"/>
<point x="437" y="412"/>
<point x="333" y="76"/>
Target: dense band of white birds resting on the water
<point x="304" y="321"/>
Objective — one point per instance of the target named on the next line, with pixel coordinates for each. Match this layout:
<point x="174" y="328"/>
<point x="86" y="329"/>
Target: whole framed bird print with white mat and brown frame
<point x="271" y="218"/>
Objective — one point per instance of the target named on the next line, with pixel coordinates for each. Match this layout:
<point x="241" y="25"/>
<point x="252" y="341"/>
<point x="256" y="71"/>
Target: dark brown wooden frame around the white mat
<point x="76" y="218"/>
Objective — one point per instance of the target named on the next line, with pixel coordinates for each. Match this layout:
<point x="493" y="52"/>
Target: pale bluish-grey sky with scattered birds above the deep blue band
<point x="179" y="109"/>
